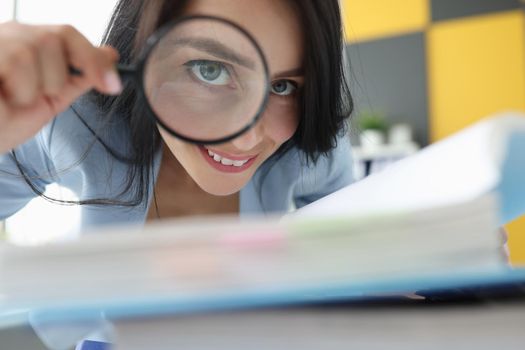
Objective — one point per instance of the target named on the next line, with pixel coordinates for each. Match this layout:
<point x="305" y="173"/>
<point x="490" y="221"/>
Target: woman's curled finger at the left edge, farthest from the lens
<point x="20" y="75"/>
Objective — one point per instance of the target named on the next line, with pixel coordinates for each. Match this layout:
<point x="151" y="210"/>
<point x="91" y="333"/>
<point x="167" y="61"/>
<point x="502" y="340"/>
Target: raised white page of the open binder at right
<point x="460" y="168"/>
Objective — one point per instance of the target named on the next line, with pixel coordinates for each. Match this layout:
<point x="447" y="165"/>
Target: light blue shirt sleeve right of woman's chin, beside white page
<point x="331" y="173"/>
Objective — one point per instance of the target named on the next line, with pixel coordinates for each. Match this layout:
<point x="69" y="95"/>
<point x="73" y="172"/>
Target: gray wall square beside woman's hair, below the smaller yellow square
<point x="389" y="75"/>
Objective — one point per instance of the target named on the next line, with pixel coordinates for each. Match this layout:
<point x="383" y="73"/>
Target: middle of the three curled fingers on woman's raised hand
<point x="52" y="64"/>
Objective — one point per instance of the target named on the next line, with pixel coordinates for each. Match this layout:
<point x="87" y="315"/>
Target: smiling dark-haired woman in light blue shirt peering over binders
<point x="123" y="167"/>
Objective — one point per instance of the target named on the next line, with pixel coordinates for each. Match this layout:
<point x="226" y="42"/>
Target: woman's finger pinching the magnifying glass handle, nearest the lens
<point x="96" y="64"/>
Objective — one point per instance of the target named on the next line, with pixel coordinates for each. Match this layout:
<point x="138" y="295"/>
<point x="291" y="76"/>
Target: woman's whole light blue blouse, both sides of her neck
<point x="66" y="152"/>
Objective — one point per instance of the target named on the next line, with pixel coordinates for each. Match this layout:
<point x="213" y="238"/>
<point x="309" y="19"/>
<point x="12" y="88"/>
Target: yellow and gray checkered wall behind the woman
<point x="439" y="65"/>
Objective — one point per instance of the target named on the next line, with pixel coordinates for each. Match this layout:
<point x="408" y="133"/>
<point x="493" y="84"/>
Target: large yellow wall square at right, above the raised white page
<point x="476" y="67"/>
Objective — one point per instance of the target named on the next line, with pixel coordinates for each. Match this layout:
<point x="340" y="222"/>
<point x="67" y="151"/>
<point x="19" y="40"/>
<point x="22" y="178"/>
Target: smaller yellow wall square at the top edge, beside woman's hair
<point x="369" y="19"/>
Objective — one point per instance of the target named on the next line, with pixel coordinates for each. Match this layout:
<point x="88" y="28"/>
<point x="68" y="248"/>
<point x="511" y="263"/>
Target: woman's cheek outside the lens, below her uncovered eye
<point x="281" y="121"/>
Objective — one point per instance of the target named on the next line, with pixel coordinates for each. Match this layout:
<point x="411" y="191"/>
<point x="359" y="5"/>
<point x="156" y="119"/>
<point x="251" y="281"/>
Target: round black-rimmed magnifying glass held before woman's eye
<point x="205" y="79"/>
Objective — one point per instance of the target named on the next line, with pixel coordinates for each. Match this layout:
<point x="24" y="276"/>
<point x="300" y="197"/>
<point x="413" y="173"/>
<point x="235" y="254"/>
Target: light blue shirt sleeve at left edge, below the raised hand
<point x="15" y="191"/>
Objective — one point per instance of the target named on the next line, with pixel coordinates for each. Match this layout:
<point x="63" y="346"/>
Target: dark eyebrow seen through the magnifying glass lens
<point x="216" y="49"/>
